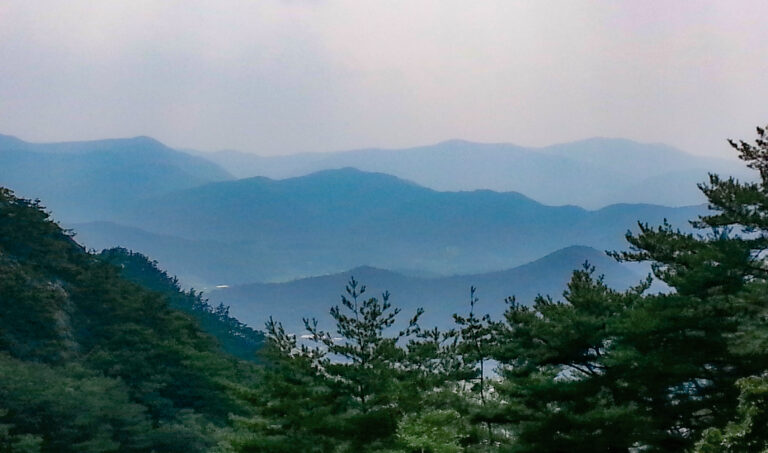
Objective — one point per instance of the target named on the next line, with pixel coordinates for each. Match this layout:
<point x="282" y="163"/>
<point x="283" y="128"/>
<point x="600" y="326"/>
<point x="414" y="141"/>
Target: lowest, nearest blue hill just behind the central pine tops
<point x="441" y="297"/>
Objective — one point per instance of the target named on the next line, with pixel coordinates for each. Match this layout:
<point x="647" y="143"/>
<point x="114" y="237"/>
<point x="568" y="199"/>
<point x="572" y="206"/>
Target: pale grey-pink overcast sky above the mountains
<point x="280" y="77"/>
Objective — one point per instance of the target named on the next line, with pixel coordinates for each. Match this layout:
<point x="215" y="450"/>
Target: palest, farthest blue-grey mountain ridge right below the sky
<point x="590" y="173"/>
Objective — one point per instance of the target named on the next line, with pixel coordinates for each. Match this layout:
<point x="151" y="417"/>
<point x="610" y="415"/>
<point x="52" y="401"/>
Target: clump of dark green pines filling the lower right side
<point x="610" y="371"/>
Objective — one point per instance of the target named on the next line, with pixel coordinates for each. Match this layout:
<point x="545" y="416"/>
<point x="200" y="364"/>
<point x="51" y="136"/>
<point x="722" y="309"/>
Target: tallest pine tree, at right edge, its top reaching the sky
<point x="706" y="336"/>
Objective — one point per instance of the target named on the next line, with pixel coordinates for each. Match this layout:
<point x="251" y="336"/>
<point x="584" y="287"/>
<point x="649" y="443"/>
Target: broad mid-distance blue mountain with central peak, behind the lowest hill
<point x="259" y="229"/>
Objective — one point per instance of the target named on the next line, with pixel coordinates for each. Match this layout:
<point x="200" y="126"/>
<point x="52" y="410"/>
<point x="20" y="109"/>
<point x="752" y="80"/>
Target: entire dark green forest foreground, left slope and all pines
<point x="104" y="352"/>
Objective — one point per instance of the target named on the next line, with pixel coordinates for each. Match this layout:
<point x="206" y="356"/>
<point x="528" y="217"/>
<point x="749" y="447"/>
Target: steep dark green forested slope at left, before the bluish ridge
<point x="90" y="362"/>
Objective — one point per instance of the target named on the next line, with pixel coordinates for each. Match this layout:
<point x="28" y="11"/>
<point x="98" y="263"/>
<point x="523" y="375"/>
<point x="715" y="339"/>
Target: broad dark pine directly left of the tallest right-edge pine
<point x="562" y="384"/>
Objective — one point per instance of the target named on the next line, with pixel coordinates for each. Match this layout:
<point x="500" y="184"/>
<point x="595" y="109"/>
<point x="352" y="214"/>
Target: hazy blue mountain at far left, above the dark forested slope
<point x="81" y="181"/>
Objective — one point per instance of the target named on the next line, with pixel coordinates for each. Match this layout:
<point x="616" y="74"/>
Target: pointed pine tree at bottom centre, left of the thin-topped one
<point x="362" y="362"/>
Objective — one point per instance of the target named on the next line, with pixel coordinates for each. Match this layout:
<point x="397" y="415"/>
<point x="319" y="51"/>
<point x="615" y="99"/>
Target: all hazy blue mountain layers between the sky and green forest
<point x="282" y="244"/>
